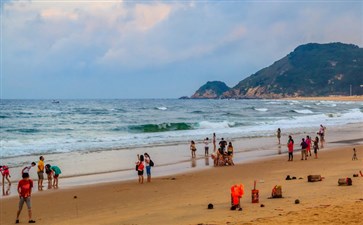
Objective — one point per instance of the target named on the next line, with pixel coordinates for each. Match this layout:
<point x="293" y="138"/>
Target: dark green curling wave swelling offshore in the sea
<point x="162" y="127"/>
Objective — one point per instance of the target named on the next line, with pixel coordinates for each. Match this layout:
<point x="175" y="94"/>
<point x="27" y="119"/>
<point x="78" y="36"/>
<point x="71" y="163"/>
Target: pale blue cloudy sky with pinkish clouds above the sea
<point x="75" y="49"/>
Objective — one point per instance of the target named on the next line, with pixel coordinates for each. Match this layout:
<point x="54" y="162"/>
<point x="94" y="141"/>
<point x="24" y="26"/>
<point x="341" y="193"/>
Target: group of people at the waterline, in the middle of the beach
<point x="221" y="156"/>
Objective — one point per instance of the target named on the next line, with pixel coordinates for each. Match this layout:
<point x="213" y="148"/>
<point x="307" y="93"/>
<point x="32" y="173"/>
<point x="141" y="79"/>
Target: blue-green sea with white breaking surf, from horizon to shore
<point x="39" y="127"/>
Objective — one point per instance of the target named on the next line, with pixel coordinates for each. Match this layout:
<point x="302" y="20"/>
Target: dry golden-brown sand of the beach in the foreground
<point x="183" y="199"/>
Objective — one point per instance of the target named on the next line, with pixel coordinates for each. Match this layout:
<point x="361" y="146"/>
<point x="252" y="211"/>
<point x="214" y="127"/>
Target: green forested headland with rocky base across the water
<point x="310" y="70"/>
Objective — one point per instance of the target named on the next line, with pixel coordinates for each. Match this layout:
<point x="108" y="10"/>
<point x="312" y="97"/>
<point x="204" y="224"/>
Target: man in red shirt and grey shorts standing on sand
<point x="25" y="190"/>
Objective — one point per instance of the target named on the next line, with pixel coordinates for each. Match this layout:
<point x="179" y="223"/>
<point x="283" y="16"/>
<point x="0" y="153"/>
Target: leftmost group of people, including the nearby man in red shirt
<point x="25" y="185"/>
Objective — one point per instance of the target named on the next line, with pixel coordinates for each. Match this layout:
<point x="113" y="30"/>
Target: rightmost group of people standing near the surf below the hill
<point x="305" y="144"/>
